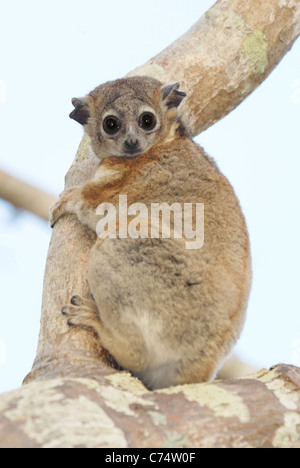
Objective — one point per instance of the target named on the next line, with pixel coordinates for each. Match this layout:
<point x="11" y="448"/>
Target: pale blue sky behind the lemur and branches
<point x="53" y="51"/>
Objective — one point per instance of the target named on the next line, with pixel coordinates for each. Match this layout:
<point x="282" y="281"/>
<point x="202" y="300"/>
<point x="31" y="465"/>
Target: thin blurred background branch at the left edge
<point x="25" y="196"/>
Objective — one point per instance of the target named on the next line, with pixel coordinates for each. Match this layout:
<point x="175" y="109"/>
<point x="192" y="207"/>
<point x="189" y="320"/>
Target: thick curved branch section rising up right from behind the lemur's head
<point x="226" y="55"/>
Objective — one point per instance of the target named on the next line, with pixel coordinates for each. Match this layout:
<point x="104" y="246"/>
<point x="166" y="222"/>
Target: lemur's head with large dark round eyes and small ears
<point x="126" y="117"/>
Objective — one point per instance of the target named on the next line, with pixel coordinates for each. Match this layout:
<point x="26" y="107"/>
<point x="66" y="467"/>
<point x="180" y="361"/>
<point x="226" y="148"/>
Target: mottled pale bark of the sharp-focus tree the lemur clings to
<point x="219" y="62"/>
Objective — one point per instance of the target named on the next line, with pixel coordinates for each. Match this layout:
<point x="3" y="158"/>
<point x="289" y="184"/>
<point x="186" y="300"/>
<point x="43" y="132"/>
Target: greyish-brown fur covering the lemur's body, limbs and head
<point x="167" y="314"/>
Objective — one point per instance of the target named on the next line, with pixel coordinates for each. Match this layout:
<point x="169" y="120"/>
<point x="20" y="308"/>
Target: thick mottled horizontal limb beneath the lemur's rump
<point x="116" y="411"/>
